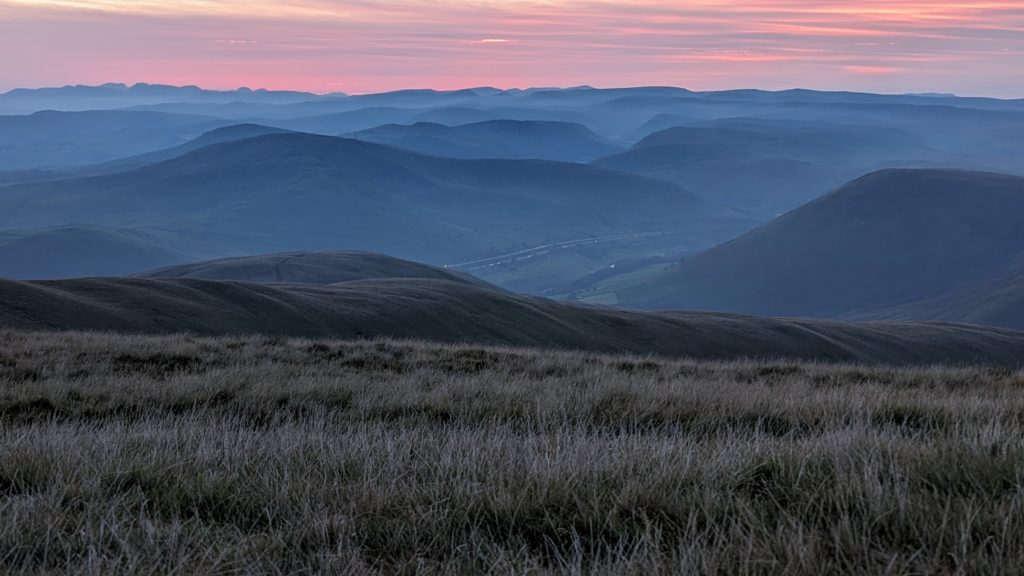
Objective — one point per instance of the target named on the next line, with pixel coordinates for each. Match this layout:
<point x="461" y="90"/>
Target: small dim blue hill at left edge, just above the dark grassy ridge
<point x="76" y="251"/>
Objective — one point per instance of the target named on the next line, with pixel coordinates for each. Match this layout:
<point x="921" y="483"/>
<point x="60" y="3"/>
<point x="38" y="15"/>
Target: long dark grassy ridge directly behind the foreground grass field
<point x="457" y="312"/>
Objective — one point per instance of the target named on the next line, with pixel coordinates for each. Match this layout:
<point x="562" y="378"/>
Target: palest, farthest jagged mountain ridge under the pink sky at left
<point x="108" y="97"/>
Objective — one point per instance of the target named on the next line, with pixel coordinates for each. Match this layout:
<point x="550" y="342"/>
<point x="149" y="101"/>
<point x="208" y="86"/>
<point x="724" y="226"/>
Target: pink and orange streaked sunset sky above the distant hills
<point x="969" y="49"/>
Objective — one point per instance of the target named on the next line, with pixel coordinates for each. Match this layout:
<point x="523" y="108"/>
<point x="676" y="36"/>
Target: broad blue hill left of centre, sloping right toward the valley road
<point x="291" y="192"/>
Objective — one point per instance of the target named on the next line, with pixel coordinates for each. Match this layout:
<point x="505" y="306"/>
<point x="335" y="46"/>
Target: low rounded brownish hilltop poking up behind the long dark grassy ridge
<point x="309" y="268"/>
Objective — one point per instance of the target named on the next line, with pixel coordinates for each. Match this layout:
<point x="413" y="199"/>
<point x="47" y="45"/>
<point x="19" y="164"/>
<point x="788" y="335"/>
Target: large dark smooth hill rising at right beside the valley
<point x="921" y="244"/>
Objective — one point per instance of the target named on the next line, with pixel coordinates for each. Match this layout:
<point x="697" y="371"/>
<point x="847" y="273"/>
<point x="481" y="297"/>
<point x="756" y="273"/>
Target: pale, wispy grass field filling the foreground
<point x="251" y="456"/>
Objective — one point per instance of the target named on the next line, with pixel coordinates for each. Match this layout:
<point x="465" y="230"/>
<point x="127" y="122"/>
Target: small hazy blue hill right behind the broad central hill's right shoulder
<point x="496" y="139"/>
